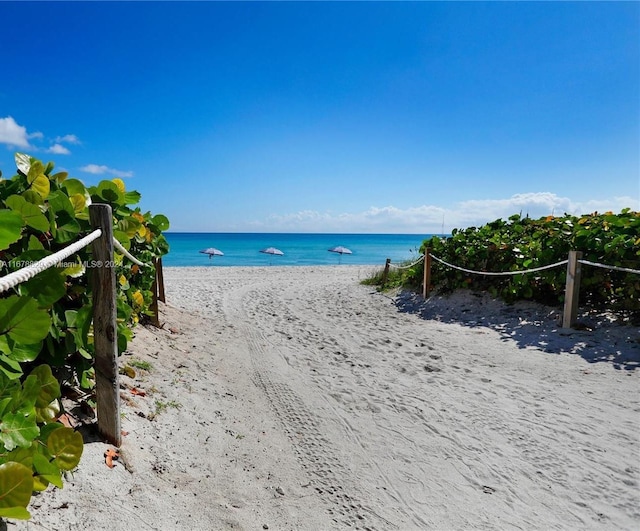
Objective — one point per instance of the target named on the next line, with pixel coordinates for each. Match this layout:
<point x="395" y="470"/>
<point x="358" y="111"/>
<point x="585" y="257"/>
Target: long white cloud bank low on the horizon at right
<point x="431" y="219"/>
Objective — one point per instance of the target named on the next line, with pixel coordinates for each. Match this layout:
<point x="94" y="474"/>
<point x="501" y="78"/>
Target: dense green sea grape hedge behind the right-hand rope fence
<point x="518" y="244"/>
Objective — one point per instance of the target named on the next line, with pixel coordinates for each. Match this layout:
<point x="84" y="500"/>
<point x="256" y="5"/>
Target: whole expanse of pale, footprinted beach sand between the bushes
<point x="296" y="398"/>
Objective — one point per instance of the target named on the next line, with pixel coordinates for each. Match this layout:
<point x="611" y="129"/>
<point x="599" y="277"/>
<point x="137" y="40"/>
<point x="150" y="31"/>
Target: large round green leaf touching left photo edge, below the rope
<point x="22" y="320"/>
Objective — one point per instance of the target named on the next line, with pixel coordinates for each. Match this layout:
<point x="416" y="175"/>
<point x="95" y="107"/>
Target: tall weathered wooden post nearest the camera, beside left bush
<point x="105" y="329"/>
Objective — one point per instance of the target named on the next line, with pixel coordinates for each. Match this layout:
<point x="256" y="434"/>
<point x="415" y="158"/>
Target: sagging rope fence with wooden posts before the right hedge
<point x="572" y="288"/>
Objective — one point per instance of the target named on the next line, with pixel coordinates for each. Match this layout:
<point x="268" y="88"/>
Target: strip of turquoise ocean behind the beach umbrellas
<point x="243" y="249"/>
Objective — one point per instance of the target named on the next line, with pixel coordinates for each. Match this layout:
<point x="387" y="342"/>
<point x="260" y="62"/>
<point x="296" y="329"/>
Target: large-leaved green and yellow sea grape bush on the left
<point x="46" y="336"/>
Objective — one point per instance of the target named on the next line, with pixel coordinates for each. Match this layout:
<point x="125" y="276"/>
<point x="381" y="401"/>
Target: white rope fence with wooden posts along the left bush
<point x="104" y="309"/>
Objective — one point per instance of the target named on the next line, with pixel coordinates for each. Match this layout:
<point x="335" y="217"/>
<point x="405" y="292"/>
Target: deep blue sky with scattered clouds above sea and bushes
<point x="331" y="117"/>
